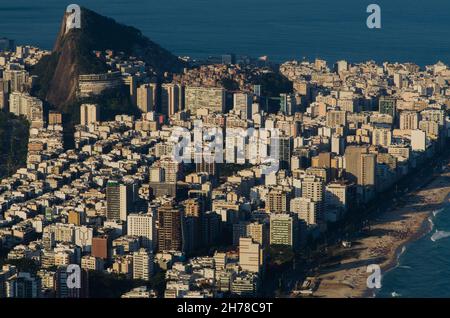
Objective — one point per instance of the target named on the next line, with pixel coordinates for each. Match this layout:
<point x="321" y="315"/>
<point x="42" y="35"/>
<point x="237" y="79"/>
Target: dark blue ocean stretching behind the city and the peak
<point x="412" y="30"/>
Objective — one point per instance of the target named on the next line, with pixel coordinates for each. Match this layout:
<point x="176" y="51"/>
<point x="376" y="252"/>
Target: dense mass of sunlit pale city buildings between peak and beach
<point x="120" y="203"/>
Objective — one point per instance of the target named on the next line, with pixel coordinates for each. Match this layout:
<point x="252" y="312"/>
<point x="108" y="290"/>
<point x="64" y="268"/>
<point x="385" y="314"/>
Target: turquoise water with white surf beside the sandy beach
<point x="424" y="267"/>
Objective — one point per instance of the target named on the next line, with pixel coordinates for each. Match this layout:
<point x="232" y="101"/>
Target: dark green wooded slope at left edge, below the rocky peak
<point x="14" y="134"/>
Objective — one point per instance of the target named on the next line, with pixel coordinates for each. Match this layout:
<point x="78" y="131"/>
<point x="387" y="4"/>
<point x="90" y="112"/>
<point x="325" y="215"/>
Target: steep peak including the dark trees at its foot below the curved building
<point x="73" y="55"/>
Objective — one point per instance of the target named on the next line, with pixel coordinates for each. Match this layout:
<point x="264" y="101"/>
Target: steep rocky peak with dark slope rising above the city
<point x="73" y="55"/>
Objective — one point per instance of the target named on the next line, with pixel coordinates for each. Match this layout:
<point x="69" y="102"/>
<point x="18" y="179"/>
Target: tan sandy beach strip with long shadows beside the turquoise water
<point x="382" y="243"/>
